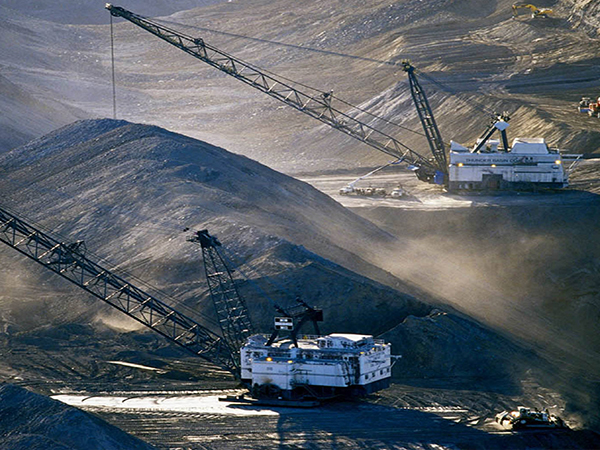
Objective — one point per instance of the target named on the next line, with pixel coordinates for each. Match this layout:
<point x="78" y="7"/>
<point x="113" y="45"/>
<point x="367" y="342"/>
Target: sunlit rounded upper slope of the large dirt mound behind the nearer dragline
<point x="124" y="178"/>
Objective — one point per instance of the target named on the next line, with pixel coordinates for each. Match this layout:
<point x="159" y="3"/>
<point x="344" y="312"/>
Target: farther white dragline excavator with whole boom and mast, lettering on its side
<point x="528" y="164"/>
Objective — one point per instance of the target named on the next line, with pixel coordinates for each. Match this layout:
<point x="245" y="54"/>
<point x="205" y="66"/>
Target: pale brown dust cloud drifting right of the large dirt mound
<point x="507" y="279"/>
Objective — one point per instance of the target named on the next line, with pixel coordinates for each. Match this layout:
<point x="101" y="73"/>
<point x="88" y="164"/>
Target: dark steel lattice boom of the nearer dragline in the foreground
<point x="70" y="262"/>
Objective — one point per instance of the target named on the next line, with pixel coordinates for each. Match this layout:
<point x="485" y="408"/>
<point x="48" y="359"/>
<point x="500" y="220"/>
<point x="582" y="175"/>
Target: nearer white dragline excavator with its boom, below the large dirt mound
<point x="287" y="371"/>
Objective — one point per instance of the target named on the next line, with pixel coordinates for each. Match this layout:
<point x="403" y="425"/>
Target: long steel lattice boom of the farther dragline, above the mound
<point x="317" y="105"/>
